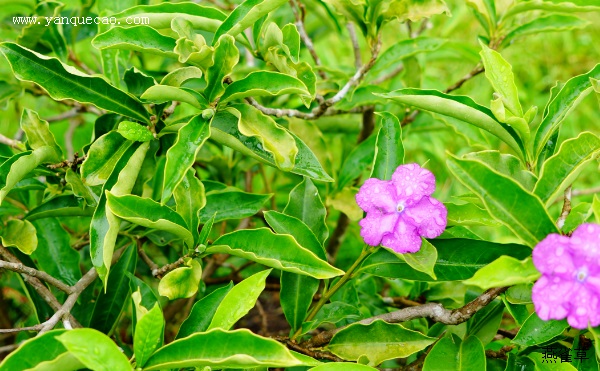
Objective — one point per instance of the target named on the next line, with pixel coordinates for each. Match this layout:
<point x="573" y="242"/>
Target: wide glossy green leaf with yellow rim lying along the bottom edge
<point x="244" y="350"/>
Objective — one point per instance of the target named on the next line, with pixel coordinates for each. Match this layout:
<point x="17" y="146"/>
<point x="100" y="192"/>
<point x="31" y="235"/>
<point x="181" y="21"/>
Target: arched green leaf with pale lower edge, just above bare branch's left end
<point x="263" y="83"/>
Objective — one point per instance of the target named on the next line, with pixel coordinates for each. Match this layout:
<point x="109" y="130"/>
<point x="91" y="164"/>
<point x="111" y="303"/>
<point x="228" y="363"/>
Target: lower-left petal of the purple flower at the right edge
<point x="551" y="297"/>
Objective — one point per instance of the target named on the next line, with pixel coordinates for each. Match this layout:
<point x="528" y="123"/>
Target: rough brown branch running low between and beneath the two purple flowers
<point x="435" y="311"/>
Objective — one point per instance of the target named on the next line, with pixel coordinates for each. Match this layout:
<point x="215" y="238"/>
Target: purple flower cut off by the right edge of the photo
<point x="570" y="282"/>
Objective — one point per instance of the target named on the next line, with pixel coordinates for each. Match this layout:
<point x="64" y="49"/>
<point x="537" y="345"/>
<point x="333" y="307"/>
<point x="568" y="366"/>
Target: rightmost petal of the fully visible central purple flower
<point x="428" y="215"/>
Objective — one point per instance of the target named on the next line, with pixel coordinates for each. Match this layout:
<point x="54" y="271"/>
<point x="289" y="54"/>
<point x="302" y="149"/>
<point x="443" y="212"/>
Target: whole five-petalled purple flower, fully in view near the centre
<point x="400" y="211"/>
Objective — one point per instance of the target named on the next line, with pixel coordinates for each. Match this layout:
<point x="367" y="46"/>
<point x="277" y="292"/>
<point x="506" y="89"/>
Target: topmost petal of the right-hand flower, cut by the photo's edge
<point x="585" y="244"/>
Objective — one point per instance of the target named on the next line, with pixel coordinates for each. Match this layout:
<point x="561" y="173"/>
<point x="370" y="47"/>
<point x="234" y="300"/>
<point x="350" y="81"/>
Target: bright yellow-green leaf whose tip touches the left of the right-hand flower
<point x="504" y="271"/>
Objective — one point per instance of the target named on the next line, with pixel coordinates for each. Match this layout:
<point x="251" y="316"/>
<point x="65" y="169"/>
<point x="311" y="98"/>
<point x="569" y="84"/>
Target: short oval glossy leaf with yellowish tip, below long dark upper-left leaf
<point x="102" y="157"/>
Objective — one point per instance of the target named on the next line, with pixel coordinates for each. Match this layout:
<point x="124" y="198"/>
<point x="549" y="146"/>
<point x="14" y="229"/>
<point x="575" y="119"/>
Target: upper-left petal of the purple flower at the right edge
<point x="552" y="256"/>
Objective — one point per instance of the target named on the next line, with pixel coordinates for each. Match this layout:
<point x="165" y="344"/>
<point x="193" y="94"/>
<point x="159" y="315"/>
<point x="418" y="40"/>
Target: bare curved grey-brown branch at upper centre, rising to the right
<point x="324" y="106"/>
